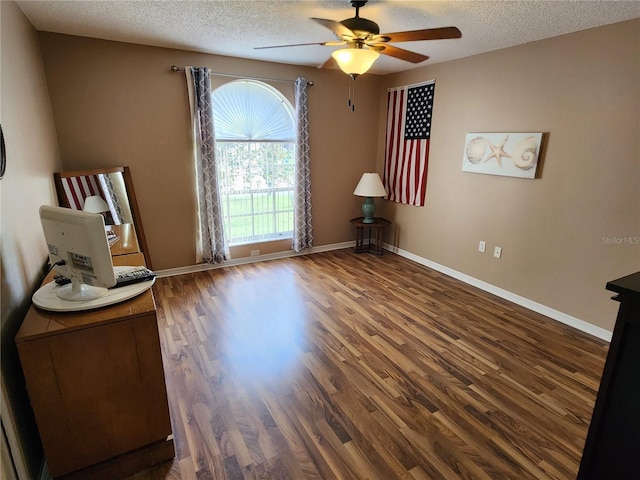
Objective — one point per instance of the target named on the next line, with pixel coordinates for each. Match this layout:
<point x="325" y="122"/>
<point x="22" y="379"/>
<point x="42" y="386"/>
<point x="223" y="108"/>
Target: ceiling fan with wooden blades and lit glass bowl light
<point x="364" y="42"/>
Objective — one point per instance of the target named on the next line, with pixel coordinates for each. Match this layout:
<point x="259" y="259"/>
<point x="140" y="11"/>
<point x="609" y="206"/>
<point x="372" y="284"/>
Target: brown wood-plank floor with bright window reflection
<point x="344" y="366"/>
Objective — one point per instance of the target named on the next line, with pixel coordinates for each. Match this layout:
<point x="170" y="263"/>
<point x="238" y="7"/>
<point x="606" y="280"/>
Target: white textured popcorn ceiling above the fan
<point x="235" y="27"/>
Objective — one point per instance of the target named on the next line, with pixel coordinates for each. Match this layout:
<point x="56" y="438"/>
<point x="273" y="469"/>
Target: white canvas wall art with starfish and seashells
<point x="507" y="154"/>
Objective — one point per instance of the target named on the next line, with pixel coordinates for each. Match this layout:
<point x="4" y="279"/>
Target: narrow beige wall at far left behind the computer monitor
<point x="32" y="154"/>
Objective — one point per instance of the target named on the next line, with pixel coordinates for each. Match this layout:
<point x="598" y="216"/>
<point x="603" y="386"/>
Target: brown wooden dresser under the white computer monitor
<point x="96" y="384"/>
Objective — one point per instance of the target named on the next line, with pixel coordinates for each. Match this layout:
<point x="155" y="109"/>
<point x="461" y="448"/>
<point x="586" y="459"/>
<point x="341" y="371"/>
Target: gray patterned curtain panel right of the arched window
<point x="302" y="228"/>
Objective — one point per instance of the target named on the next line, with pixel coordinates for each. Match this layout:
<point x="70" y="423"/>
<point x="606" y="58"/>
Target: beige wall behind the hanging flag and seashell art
<point x="582" y="90"/>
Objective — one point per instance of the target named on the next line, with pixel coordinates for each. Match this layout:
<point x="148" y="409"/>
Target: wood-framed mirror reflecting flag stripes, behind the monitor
<point x="108" y="191"/>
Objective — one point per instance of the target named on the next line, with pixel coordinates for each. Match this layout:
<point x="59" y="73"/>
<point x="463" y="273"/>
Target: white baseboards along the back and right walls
<point x="482" y="285"/>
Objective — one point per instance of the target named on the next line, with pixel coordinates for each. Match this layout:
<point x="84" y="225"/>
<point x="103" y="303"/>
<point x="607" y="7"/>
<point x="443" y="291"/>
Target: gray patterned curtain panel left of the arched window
<point x="212" y="247"/>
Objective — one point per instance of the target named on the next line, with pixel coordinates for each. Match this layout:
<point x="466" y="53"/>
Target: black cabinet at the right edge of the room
<point x="612" y="447"/>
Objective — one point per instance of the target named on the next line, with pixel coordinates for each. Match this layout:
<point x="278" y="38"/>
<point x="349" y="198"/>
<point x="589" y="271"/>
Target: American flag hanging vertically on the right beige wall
<point x="409" y="113"/>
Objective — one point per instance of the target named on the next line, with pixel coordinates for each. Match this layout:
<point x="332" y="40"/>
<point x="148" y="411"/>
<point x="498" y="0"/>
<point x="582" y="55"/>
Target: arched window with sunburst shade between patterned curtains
<point x="255" y="152"/>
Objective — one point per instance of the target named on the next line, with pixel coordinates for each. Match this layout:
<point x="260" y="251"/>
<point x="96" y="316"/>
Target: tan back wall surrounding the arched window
<point x="119" y="104"/>
